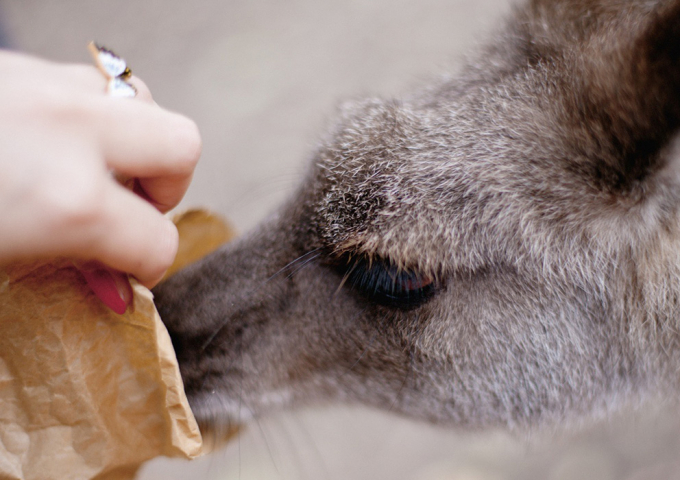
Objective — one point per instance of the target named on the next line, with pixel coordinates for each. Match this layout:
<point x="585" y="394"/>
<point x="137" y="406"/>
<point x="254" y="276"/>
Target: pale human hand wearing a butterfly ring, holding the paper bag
<point x="61" y="137"/>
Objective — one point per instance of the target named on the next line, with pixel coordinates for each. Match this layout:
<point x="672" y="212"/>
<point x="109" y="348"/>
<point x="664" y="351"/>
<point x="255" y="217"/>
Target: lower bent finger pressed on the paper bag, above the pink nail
<point x="130" y="235"/>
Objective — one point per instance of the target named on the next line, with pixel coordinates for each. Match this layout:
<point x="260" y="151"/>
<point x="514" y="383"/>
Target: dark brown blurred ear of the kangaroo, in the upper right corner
<point x="627" y="92"/>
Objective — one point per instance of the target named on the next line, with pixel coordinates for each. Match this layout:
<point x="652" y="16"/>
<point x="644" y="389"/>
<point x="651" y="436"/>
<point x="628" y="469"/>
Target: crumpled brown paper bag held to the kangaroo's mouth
<point x="86" y="393"/>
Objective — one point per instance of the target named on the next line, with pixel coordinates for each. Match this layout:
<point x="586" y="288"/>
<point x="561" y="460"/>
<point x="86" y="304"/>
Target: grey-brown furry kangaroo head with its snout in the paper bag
<point x="500" y="248"/>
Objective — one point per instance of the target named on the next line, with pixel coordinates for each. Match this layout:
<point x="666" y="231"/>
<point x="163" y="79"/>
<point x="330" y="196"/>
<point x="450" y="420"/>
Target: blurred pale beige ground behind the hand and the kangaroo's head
<point x="260" y="78"/>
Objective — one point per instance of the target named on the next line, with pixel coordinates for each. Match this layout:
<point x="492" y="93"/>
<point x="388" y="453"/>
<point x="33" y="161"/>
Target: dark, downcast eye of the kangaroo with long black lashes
<point x="387" y="285"/>
